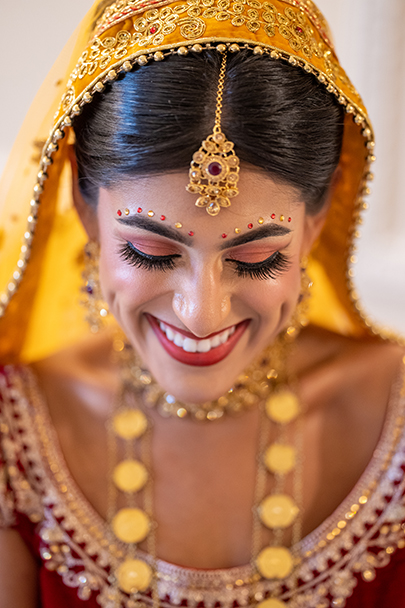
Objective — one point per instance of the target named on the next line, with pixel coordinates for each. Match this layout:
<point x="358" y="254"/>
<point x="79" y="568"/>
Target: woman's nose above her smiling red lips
<point x="203" y="302"/>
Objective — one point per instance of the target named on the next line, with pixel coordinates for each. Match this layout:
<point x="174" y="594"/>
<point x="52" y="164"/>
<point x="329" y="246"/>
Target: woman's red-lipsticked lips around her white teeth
<point x="215" y="355"/>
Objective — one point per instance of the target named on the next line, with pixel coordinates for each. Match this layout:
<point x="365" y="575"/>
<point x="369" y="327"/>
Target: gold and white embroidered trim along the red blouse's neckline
<point x="70" y="533"/>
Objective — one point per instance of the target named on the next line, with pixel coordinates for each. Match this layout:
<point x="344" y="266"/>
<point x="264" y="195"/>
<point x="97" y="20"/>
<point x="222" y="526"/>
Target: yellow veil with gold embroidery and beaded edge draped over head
<point x="41" y="239"/>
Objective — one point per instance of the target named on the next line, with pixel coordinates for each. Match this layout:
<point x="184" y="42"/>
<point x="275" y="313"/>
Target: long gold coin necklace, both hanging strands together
<point x="131" y="479"/>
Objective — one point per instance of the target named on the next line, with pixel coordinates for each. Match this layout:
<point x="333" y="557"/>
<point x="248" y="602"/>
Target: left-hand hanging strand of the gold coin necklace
<point x="130" y="478"/>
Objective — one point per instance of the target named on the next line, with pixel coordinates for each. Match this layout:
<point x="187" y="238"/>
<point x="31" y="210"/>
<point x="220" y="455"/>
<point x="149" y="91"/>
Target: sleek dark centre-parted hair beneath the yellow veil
<point x="152" y="121"/>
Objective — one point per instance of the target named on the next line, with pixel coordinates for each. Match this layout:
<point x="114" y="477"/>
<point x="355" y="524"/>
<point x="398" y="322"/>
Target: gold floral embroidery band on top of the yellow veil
<point x="152" y="28"/>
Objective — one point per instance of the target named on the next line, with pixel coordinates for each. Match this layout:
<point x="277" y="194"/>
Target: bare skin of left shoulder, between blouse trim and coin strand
<point x="78" y="386"/>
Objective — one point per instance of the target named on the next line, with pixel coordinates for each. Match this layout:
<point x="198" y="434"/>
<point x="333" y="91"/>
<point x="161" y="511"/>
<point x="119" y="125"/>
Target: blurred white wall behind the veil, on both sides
<point x="371" y="45"/>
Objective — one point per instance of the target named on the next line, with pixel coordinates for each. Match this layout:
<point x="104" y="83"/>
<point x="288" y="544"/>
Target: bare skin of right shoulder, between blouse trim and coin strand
<point x="345" y="385"/>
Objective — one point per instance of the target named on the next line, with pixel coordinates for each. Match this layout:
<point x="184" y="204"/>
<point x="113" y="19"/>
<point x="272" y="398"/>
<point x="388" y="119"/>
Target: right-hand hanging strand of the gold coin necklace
<point x="277" y="511"/>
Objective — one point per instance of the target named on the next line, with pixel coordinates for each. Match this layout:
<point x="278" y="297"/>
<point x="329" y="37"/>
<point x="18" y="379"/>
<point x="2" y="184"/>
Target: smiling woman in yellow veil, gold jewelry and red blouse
<point x="230" y="432"/>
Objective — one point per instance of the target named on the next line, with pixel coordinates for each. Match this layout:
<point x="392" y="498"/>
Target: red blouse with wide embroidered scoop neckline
<point x="355" y="558"/>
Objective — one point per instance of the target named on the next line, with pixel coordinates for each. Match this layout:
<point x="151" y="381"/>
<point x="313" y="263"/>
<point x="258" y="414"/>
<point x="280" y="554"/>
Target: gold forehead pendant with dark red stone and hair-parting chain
<point x="214" y="169"/>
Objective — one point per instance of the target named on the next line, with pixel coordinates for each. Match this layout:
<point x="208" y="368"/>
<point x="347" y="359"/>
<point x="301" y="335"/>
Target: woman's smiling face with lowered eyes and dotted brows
<point x="198" y="296"/>
